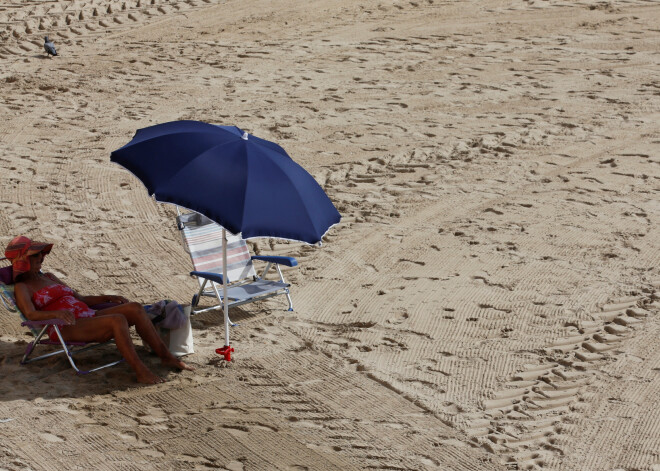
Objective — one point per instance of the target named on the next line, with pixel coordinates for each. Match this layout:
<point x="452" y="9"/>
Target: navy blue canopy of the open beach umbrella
<point x="246" y="184"/>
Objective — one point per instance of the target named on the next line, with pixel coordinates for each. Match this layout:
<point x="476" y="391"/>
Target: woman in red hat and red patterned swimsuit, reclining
<point x="43" y="296"/>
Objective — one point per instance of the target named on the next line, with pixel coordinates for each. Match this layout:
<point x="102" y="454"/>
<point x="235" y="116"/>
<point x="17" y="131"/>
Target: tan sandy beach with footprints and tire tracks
<point x="489" y="301"/>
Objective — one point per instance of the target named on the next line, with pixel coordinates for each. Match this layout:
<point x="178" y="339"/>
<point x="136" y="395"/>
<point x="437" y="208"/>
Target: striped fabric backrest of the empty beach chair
<point x="203" y="239"/>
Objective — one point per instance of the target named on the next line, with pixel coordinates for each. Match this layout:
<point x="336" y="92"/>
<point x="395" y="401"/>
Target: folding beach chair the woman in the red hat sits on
<point x="39" y="330"/>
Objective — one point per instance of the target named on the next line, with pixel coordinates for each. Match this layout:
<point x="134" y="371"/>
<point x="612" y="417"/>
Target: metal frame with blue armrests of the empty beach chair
<point x="214" y="281"/>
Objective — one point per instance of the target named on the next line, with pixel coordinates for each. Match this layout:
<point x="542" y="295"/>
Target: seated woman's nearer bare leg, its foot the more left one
<point x="104" y="328"/>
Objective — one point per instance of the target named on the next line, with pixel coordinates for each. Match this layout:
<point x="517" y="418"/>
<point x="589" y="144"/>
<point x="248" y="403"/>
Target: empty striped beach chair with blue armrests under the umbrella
<point x="202" y="239"/>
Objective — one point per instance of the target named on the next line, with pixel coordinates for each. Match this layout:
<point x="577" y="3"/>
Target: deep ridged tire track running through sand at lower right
<point x="527" y="422"/>
